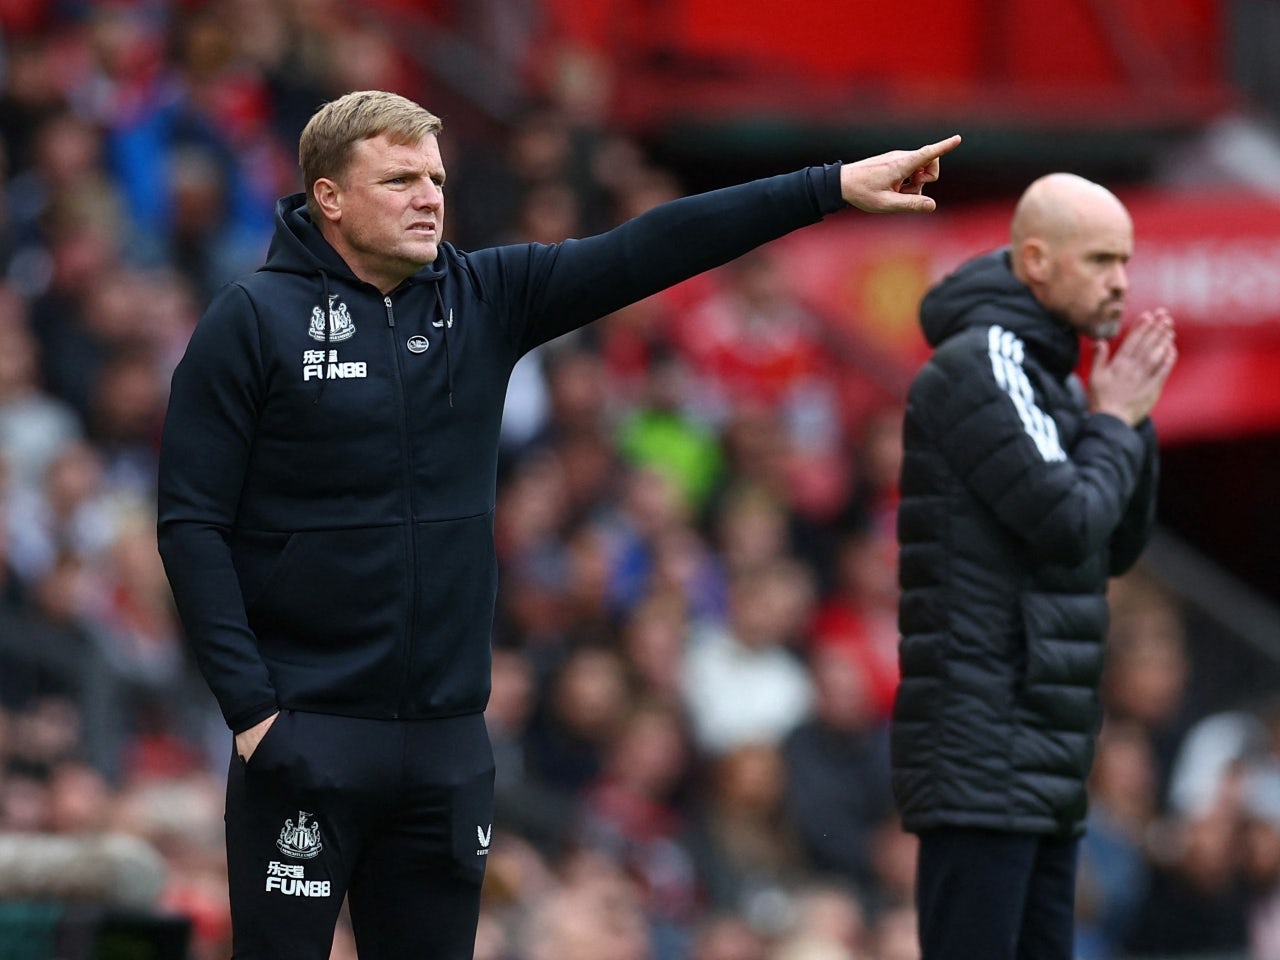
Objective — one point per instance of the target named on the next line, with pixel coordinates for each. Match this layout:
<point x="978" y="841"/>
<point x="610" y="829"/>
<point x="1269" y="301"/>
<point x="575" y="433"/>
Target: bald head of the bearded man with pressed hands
<point x="1069" y="243"/>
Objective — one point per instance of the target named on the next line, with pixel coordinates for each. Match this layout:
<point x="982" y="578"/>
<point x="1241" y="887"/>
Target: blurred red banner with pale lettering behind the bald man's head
<point x="1214" y="260"/>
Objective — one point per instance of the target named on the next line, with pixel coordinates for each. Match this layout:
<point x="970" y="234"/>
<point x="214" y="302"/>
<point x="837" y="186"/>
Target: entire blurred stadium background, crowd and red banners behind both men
<point x="696" y="652"/>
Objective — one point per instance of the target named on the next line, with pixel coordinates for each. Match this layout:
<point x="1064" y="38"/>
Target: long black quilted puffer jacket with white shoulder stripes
<point x="1017" y="508"/>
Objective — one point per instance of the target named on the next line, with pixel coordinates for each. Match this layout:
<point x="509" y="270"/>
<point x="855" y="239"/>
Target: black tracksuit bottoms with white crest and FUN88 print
<point x="396" y="816"/>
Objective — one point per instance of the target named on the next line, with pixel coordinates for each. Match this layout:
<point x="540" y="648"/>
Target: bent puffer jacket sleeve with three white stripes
<point x="998" y="432"/>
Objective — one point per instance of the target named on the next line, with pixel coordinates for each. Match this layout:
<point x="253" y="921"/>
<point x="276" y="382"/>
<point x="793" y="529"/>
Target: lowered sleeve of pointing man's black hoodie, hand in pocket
<point x="216" y="396"/>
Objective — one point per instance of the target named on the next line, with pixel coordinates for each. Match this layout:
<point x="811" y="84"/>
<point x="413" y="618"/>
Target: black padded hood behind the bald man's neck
<point x="984" y="292"/>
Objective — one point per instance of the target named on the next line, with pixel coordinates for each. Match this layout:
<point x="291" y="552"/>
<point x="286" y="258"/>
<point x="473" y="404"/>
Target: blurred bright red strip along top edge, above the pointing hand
<point x="1144" y="60"/>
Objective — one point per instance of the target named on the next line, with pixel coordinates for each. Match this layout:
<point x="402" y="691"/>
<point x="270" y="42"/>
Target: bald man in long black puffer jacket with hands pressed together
<point x="1023" y="491"/>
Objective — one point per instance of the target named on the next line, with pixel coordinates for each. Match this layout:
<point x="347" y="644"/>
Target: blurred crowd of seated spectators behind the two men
<point x="696" y="653"/>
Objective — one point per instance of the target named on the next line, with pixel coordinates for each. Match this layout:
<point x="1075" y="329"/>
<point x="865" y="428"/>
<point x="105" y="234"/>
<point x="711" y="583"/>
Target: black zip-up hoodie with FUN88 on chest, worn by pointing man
<point x="330" y="456"/>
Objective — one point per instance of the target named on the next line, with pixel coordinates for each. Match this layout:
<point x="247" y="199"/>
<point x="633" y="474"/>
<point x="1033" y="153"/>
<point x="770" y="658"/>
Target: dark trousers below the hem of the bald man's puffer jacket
<point x="996" y="897"/>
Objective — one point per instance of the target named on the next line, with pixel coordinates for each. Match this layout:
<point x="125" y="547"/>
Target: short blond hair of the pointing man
<point x="330" y="139"/>
